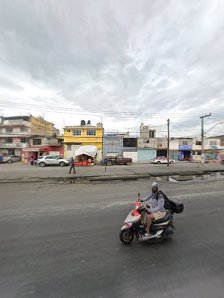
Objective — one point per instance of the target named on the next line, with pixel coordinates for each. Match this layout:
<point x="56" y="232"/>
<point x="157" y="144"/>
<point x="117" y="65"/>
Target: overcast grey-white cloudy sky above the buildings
<point x="120" y="62"/>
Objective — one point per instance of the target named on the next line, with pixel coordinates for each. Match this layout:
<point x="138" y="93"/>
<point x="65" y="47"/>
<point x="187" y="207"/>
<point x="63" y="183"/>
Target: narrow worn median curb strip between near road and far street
<point x="99" y="178"/>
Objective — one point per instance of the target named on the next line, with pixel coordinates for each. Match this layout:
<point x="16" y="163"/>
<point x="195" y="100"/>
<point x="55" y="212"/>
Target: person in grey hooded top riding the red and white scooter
<point x="157" y="211"/>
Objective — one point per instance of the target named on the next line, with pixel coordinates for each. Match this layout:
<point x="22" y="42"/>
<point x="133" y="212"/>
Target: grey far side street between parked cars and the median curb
<point x="24" y="171"/>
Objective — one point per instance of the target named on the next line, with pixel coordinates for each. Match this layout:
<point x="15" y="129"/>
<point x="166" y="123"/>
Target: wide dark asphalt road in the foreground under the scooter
<point x="62" y="241"/>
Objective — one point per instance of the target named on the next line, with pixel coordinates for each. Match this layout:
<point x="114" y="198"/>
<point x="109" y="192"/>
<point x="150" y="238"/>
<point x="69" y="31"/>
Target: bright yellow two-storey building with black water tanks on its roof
<point x="82" y="135"/>
